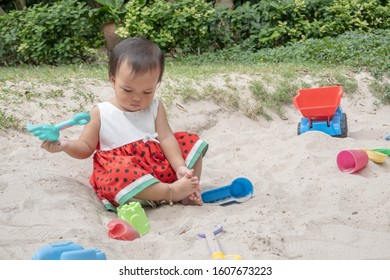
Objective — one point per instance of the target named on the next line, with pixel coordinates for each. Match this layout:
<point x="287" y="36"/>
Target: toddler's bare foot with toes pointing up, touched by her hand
<point x="185" y="187"/>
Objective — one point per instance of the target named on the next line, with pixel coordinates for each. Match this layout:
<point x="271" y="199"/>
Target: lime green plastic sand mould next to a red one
<point x="134" y="214"/>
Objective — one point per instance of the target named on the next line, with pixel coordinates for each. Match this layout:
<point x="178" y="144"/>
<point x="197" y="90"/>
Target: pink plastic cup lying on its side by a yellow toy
<point x="352" y="161"/>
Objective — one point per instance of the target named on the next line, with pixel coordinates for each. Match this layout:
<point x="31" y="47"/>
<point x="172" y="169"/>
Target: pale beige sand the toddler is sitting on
<point x="303" y="206"/>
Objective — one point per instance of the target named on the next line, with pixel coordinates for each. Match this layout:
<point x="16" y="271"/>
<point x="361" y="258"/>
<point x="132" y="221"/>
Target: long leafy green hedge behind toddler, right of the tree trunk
<point x="196" y="25"/>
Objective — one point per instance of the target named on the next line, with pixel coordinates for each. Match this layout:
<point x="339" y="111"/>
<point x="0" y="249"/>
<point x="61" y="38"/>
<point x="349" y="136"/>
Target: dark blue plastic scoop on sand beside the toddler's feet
<point x="240" y="190"/>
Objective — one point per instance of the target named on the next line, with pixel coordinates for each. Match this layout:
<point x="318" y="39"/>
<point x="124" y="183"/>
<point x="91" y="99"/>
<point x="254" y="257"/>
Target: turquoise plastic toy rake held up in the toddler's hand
<point x="52" y="132"/>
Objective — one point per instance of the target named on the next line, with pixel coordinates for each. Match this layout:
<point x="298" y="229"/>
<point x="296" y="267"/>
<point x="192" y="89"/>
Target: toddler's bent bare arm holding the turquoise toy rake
<point x="85" y="145"/>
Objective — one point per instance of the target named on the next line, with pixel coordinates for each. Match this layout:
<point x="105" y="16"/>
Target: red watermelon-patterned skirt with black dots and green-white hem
<point x="120" y="174"/>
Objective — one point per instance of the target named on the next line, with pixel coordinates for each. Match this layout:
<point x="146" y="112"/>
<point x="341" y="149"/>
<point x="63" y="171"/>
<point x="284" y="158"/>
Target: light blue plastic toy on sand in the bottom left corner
<point x="68" y="251"/>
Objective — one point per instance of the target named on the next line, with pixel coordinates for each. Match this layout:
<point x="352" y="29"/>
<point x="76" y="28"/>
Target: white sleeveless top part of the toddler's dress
<point x="118" y="127"/>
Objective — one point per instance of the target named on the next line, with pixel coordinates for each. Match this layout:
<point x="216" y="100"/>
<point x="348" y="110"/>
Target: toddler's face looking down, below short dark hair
<point x="134" y="93"/>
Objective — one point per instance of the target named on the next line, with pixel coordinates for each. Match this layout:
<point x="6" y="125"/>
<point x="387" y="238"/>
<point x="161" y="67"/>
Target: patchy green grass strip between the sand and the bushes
<point x="272" y="85"/>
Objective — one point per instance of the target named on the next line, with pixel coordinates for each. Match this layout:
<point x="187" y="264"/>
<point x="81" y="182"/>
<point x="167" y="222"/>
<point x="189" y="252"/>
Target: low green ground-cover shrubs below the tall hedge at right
<point x="355" y="48"/>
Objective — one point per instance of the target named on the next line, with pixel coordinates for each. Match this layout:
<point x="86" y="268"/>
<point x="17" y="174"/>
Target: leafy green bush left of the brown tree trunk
<point x="60" y="33"/>
